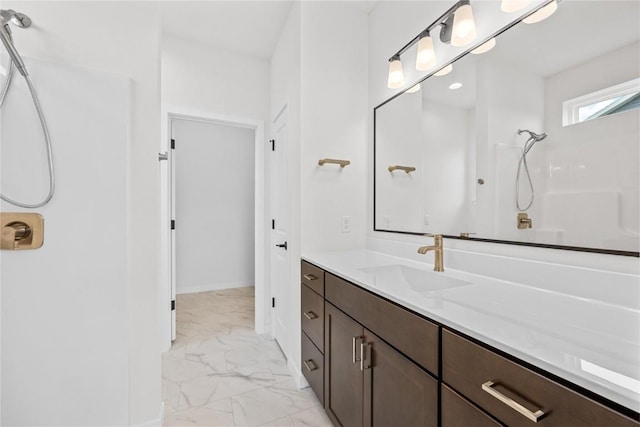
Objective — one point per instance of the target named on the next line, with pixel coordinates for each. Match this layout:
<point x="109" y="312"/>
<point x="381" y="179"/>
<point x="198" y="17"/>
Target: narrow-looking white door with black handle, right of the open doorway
<point x="280" y="232"/>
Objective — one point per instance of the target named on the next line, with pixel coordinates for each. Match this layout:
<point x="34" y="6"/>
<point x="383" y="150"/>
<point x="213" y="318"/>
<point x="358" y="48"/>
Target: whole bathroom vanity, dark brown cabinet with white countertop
<point x="387" y="342"/>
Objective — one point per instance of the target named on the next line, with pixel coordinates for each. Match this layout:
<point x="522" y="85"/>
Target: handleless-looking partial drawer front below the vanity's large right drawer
<point x="459" y="412"/>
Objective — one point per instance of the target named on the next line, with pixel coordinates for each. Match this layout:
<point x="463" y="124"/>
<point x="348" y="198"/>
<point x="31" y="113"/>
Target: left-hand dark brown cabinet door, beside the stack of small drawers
<point x="343" y="377"/>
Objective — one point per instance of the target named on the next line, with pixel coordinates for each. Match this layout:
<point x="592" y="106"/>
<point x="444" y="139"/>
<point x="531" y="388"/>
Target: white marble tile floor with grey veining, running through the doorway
<point x="220" y="373"/>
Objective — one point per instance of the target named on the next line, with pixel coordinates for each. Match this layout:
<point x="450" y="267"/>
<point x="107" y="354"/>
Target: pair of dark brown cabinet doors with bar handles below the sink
<point x="368" y="383"/>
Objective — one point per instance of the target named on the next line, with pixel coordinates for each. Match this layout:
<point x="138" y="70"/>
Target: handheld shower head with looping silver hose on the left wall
<point x="21" y="20"/>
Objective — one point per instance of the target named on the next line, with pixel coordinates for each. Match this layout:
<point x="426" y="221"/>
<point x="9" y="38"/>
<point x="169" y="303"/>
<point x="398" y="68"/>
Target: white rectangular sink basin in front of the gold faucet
<point x="419" y="280"/>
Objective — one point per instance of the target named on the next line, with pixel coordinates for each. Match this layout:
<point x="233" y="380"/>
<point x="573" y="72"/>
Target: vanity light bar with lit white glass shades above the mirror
<point x="457" y="28"/>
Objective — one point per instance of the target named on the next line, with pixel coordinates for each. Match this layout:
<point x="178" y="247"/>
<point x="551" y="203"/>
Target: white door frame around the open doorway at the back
<point x="262" y="275"/>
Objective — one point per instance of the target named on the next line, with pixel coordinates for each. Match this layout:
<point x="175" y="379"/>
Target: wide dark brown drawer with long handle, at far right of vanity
<point x="467" y="366"/>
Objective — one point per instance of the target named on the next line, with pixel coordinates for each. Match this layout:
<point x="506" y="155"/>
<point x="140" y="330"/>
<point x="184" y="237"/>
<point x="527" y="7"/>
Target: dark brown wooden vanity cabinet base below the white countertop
<point x="381" y="365"/>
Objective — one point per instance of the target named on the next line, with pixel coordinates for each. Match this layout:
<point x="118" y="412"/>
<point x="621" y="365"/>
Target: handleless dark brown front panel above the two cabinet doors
<point x="409" y="333"/>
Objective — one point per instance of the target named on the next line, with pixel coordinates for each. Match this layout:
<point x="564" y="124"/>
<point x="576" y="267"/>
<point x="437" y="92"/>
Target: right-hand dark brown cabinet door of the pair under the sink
<point x="396" y="391"/>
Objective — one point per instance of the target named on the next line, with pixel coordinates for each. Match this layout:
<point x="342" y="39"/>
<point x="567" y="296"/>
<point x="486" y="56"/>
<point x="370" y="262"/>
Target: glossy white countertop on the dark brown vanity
<point x="591" y="343"/>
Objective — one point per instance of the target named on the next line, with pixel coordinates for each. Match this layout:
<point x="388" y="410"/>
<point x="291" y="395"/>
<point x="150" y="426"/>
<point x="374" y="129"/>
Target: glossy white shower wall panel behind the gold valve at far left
<point x="65" y="315"/>
